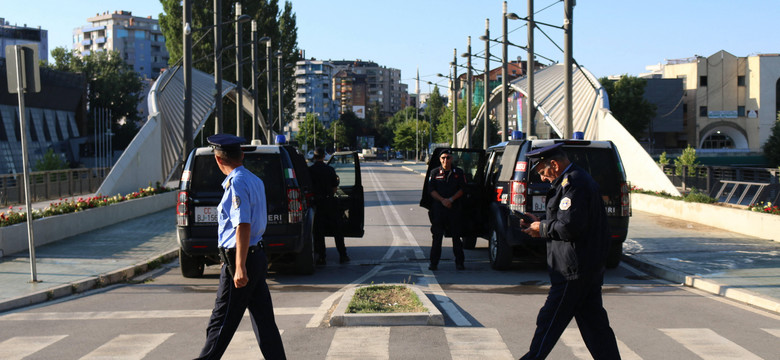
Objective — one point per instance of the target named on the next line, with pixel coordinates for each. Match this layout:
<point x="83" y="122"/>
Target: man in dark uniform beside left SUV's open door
<point x="325" y="182"/>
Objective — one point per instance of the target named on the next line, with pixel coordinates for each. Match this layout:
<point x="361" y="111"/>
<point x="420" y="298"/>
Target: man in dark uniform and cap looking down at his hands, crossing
<point x="575" y="227"/>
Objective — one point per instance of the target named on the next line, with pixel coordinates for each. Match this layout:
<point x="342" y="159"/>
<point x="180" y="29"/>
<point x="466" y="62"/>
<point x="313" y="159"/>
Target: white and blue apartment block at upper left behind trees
<point x="137" y="39"/>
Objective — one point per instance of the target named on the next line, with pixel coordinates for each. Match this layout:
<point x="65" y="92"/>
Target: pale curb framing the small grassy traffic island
<point x="432" y="317"/>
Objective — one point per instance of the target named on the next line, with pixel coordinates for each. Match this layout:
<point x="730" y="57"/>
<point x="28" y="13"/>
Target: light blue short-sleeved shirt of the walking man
<point x="243" y="202"/>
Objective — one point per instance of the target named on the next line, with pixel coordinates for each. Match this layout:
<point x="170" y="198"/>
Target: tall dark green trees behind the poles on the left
<point x="280" y="26"/>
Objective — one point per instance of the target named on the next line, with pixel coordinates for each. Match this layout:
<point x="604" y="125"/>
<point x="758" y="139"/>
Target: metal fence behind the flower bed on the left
<point x="47" y="185"/>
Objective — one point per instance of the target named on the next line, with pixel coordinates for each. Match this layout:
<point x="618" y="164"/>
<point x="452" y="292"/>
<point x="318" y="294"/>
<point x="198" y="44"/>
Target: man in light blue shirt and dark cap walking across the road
<point x="242" y="221"/>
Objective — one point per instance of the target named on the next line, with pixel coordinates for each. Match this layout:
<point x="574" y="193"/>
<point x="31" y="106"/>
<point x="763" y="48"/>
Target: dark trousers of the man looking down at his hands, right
<point x="579" y="299"/>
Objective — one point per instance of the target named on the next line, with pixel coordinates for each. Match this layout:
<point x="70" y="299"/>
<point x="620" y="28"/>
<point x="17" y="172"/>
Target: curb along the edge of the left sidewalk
<point x="90" y="283"/>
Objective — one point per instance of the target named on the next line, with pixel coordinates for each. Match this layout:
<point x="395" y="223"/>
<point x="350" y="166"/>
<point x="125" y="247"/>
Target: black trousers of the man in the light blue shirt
<point x="230" y="306"/>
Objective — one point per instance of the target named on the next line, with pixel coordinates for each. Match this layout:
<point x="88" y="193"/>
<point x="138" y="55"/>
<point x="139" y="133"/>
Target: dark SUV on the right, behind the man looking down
<point x="500" y="187"/>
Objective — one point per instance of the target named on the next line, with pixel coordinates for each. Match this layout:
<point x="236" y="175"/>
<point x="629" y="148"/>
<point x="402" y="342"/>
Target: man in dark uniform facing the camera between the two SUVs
<point x="446" y="185"/>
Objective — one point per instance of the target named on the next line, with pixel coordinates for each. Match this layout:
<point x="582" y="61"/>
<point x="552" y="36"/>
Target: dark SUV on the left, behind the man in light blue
<point x="288" y="237"/>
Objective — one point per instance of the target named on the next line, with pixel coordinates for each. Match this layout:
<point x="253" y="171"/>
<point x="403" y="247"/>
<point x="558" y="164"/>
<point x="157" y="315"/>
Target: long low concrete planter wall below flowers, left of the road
<point x="49" y="229"/>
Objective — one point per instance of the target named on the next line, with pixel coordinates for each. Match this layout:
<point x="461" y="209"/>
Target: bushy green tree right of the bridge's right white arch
<point x="628" y="105"/>
